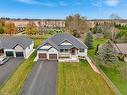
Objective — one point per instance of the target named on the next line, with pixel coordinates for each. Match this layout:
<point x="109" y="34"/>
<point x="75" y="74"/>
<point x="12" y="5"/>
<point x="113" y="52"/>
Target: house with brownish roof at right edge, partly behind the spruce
<point x="121" y="49"/>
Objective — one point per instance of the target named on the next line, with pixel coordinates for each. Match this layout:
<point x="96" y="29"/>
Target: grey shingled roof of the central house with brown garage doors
<point x="56" y="40"/>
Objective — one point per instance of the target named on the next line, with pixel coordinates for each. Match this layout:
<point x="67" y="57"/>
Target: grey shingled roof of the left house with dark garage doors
<point x="9" y="42"/>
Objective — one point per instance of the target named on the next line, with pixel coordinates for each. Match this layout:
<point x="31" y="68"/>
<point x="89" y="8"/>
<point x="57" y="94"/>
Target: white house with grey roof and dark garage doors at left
<point x="12" y="46"/>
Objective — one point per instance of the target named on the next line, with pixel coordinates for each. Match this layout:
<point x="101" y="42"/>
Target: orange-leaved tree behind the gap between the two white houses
<point x="31" y="28"/>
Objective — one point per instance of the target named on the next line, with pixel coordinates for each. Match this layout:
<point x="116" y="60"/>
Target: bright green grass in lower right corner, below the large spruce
<point x="115" y="76"/>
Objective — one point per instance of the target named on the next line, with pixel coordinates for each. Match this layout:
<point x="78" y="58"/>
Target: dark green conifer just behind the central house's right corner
<point x="89" y="40"/>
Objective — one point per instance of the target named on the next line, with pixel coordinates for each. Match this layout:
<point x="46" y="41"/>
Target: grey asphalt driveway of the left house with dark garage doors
<point x="8" y="68"/>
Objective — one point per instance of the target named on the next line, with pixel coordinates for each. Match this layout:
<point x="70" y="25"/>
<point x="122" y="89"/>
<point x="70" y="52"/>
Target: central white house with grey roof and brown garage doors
<point x="62" y="47"/>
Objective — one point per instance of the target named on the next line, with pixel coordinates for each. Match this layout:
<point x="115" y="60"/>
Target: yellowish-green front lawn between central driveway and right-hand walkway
<point x="80" y="79"/>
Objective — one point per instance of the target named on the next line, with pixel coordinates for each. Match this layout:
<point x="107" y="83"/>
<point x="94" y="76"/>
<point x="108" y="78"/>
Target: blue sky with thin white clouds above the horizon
<point x="59" y="9"/>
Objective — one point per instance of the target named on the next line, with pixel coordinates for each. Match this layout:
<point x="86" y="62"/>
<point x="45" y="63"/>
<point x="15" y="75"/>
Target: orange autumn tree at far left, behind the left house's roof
<point x="10" y="28"/>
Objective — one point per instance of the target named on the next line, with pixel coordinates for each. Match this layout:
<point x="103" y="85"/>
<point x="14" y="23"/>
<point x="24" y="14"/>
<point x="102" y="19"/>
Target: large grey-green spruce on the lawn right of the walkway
<point x="107" y="53"/>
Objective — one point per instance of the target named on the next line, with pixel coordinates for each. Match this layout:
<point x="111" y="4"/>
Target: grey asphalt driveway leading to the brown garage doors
<point x="42" y="80"/>
